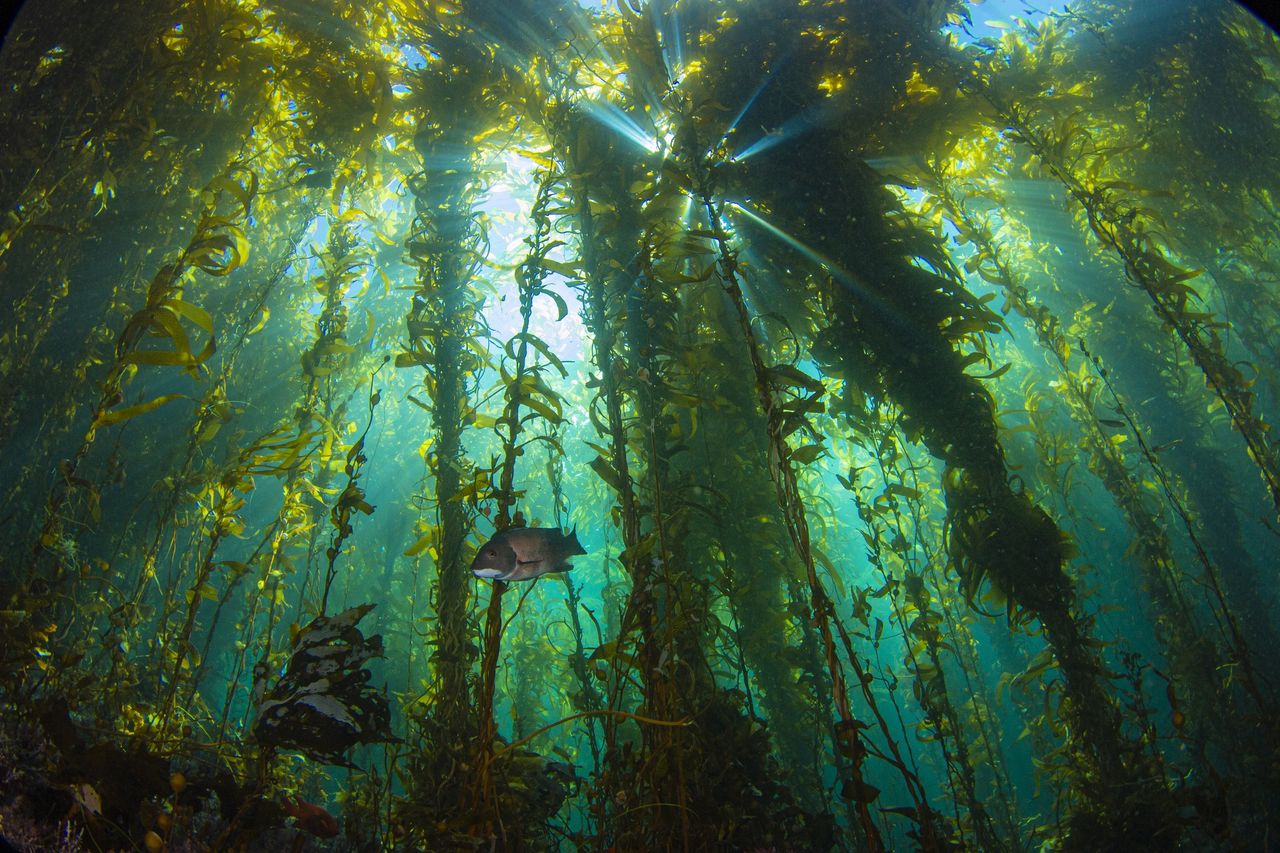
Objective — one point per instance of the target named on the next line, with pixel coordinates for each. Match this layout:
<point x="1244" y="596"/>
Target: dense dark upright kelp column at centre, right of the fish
<point x="643" y="316"/>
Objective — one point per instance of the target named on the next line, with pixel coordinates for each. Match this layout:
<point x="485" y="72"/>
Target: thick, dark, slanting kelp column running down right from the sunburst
<point x="897" y="329"/>
